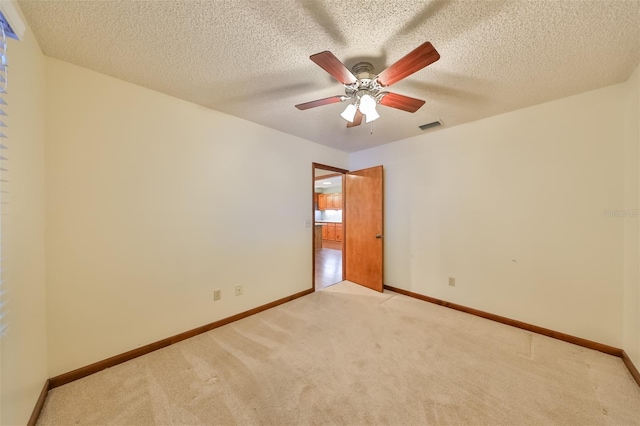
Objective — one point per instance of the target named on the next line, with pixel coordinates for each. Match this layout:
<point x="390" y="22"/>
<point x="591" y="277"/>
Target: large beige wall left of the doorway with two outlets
<point x="152" y="203"/>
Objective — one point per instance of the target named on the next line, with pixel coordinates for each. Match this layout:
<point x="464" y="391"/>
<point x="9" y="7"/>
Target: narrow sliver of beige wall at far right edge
<point x="631" y="320"/>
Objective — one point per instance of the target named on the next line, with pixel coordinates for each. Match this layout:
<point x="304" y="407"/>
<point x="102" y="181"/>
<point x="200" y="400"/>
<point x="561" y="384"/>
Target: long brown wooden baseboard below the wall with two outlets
<point x="79" y="373"/>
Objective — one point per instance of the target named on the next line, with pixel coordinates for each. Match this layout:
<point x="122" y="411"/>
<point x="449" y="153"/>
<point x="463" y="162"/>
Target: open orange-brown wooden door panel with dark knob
<point x="363" y="198"/>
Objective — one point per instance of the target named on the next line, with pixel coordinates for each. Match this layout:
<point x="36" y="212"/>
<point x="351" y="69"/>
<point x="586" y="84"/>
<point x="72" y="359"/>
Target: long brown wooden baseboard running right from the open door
<point x="519" y="324"/>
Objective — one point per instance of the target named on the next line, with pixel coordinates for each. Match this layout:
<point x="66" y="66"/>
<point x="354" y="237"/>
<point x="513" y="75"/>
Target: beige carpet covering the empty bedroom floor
<point x="350" y="356"/>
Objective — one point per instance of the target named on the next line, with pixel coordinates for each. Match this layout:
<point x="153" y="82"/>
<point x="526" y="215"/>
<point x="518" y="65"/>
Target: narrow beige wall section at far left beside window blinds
<point x="23" y="366"/>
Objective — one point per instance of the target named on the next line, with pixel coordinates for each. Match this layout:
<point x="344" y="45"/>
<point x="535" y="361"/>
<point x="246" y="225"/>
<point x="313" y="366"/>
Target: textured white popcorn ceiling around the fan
<point x="250" y="58"/>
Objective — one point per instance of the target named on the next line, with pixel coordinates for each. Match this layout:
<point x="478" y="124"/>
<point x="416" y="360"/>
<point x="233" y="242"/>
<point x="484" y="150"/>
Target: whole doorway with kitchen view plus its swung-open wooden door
<point x="348" y="222"/>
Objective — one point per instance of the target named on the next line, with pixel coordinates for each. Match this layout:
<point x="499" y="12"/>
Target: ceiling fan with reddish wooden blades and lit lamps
<point x="364" y="88"/>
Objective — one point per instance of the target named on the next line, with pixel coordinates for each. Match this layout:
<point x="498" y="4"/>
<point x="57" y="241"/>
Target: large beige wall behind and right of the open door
<point x="513" y="207"/>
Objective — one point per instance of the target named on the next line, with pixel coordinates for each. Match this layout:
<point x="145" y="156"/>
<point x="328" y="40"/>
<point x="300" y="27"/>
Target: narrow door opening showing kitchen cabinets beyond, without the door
<point x="328" y="239"/>
